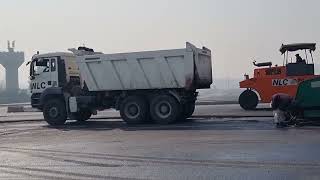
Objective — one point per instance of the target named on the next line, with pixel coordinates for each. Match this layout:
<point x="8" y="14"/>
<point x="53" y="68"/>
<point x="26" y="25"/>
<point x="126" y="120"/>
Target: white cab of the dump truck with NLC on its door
<point x="52" y="70"/>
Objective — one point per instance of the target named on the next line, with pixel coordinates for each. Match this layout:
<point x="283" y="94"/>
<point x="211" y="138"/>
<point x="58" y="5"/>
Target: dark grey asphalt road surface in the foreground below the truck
<point x="203" y="148"/>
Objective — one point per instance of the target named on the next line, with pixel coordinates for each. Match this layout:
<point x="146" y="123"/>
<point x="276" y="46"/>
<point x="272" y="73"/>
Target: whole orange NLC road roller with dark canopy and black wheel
<point x="269" y="80"/>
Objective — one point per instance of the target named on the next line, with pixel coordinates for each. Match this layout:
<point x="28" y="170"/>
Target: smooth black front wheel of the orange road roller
<point x="248" y="100"/>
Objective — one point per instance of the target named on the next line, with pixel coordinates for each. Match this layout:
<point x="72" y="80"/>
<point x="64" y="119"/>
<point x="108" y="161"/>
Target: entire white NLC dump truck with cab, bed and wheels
<point x="158" y="86"/>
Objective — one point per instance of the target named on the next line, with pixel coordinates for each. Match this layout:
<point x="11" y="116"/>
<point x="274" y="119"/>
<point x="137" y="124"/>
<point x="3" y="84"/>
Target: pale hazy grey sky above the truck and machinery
<point x="237" y="31"/>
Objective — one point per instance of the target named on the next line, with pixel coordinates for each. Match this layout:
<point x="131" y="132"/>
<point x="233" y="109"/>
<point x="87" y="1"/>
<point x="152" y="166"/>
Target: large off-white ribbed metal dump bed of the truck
<point x="188" y="68"/>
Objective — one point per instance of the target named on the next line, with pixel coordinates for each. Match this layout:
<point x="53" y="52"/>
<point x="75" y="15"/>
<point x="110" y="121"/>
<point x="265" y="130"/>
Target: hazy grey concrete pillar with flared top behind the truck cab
<point x="11" y="61"/>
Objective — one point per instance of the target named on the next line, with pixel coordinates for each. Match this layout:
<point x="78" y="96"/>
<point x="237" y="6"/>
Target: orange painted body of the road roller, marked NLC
<point x="272" y="80"/>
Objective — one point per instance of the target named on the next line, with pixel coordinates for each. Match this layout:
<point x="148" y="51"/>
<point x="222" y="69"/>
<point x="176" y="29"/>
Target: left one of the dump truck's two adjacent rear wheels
<point x="134" y="110"/>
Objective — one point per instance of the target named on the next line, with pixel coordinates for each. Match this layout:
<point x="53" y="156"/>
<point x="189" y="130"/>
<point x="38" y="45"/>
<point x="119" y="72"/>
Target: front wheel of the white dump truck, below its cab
<point x="54" y="112"/>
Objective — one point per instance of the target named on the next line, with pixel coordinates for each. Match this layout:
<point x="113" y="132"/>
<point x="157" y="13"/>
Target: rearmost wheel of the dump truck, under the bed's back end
<point x="164" y="109"/>
